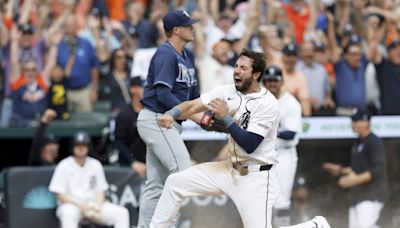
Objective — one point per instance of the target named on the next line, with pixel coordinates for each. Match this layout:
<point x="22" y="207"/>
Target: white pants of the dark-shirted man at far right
<point x="365" y="214"/>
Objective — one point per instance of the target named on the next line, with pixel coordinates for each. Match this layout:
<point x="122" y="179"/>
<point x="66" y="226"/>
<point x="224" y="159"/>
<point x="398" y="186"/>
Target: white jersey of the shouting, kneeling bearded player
<point x="257" y="113"/>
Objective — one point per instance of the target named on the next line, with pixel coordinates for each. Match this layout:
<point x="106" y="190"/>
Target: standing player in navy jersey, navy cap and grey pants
<point x="171" y="80"/>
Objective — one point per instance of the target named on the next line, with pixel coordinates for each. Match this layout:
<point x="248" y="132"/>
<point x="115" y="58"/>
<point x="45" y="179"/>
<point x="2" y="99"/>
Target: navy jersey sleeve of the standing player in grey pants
<point x="164" y="72"/>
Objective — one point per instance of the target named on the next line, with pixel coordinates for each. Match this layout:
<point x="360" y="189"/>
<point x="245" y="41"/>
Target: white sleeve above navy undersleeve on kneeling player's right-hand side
<point x="262" y="119"/>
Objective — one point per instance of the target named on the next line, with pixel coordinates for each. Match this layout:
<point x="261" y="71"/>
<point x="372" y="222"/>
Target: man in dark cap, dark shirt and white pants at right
<point x="366" y="178"/>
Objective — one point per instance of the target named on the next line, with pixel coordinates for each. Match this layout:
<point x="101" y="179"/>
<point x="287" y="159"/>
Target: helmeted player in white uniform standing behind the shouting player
<point x="289" y="126"/>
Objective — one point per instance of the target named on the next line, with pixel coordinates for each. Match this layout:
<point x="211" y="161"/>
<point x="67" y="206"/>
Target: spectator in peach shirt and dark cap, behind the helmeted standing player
<point x="295" y="82"/>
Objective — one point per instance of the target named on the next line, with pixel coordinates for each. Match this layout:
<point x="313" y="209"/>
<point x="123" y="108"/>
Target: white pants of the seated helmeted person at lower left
<point x="111" y="214"/>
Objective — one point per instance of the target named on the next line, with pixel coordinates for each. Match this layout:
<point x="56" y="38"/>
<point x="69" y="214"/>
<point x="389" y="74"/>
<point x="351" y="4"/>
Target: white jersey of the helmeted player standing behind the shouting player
<point x="290" y="119"/>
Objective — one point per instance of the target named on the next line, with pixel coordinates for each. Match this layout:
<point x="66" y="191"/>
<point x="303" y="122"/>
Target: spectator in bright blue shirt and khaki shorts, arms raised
<point x="83" y="80"/>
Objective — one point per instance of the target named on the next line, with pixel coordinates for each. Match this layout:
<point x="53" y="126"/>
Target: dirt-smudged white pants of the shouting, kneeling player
<point x="253" y="194"/>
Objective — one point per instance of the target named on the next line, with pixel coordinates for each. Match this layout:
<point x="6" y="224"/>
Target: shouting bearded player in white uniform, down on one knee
<point x="248" y="177"/>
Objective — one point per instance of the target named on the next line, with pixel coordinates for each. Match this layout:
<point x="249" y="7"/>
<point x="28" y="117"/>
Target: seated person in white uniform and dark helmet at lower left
<point x="79" y="183"/>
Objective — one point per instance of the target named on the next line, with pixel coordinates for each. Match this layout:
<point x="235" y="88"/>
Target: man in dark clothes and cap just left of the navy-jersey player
<point x="132" y="149"/>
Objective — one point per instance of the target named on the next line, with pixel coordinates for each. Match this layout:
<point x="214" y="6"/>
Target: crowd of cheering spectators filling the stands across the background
<point x="66" y="54"/>
